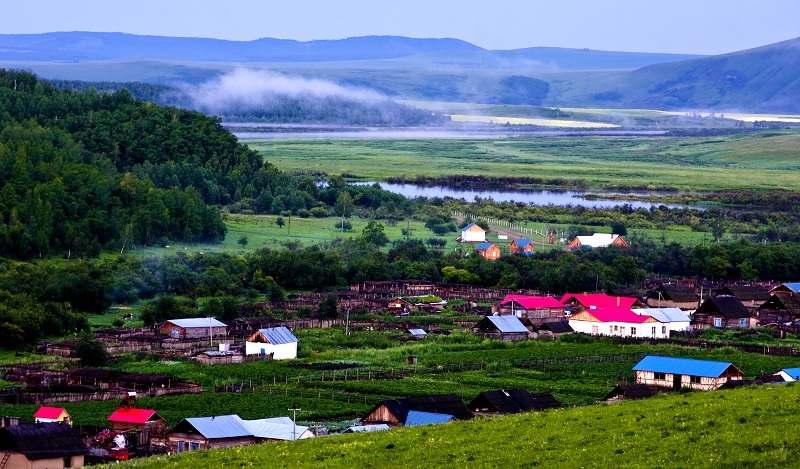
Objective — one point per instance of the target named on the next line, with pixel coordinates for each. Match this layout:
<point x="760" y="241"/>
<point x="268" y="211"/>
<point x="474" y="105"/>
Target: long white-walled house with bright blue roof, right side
<point x="677" y="373"/>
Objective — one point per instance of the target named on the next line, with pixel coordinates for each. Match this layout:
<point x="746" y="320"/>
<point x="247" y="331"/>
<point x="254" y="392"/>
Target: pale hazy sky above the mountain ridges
<point x="681" y="26"/>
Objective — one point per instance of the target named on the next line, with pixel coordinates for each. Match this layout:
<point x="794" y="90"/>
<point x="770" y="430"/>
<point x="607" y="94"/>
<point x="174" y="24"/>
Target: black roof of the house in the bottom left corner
<point x="42" y="440"/>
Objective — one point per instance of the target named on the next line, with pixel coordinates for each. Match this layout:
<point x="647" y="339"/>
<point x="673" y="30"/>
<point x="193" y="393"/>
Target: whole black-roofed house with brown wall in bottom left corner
<point x="41" y="445"/>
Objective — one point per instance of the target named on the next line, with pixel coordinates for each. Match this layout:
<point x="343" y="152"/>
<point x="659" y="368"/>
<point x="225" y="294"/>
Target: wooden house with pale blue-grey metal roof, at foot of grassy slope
<point x="221" y="431"/>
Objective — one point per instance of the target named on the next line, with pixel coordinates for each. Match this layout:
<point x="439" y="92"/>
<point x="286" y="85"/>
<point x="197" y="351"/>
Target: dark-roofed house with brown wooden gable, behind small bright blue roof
<point x="395" y="411"/>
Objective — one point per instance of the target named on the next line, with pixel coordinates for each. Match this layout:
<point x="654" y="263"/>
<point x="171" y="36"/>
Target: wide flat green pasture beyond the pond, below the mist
<point x="762" y="160"/>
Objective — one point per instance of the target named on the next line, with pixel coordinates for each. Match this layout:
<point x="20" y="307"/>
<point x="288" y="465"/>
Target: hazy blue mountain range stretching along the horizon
<point x="764" y="79"/>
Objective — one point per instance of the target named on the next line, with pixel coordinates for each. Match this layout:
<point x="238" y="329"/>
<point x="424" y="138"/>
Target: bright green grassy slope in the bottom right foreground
<point x="722" y="429"/>
